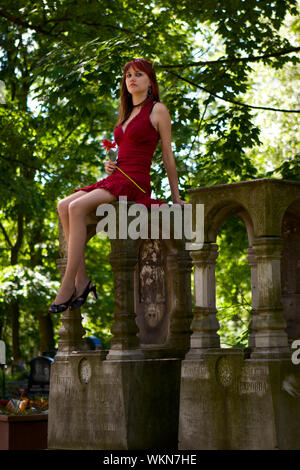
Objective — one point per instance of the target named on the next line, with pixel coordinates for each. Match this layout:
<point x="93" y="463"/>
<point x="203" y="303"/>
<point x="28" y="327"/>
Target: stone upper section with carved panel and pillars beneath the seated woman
<point x="152" y="293"/>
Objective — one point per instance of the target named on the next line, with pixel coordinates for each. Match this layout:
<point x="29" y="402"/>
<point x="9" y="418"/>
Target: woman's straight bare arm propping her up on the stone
<point x="161" y="119"/>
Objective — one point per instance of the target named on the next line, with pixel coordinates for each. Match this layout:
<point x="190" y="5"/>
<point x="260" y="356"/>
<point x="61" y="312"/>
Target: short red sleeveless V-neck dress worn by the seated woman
<point x="136" y="147"/>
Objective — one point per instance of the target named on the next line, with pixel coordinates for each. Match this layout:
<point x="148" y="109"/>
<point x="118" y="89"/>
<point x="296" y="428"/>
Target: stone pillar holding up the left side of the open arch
<point x="205" y="324"/>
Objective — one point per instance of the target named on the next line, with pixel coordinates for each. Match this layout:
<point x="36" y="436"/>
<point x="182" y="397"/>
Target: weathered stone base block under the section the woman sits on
<point x="114" y="405"/>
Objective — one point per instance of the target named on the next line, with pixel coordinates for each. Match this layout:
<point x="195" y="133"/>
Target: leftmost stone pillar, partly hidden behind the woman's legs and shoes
<point x="71" y="330"/>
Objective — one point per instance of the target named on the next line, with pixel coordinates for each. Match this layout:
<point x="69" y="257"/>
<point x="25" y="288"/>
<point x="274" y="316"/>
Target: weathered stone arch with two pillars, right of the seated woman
<point x="262" y="205"/>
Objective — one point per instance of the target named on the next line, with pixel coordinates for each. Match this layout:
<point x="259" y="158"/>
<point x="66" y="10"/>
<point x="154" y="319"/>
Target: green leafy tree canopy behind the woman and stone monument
<point x="61" y="63"/>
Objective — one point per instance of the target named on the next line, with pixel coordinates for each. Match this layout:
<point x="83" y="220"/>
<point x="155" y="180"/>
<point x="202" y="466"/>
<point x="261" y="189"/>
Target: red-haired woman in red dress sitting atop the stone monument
<point x="142" y="121"/>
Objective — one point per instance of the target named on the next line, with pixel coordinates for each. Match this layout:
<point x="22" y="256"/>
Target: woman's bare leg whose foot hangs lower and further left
<point x="78" y="210"/>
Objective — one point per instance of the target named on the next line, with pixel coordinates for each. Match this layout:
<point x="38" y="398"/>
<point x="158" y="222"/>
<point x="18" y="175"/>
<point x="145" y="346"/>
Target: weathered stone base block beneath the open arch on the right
<point x="229" y="402"/>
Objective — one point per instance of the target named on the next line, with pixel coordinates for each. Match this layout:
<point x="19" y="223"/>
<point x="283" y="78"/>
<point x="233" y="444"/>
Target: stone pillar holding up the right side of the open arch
<point x="268" y="322"/>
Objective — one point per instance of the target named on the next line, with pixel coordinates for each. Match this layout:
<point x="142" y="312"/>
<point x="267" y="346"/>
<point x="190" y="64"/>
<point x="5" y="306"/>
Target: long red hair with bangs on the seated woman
<point x="126" y="105"/>
